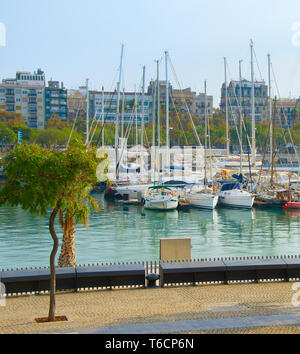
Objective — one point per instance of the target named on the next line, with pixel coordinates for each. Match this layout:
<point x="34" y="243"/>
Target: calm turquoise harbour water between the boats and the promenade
<point x="116" y="234"/>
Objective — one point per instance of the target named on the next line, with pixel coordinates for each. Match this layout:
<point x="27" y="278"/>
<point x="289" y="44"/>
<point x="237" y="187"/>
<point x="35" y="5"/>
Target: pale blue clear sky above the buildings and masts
<point x="72" y="40"/>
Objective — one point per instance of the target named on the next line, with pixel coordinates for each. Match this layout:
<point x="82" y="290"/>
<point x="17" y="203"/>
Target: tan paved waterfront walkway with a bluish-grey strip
<point x="236" y="308"/>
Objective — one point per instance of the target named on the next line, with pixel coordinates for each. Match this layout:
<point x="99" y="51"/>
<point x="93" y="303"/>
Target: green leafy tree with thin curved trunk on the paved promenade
<point x="40" y="179"/>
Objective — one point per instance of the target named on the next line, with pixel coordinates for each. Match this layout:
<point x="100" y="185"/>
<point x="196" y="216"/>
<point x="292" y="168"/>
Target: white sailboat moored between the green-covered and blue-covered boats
<point x="204" y="197"/>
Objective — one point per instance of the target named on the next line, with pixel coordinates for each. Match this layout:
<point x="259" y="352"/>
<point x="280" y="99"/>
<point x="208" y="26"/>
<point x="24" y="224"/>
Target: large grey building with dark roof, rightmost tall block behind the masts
<point x="242" y="91"/>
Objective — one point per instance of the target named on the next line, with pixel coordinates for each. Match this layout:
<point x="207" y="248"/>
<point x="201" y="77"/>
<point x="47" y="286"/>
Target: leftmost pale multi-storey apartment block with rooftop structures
<point x="25" y="95"/>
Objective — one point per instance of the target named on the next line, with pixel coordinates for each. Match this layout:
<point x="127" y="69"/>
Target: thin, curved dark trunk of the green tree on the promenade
<point x="51" y="317"/>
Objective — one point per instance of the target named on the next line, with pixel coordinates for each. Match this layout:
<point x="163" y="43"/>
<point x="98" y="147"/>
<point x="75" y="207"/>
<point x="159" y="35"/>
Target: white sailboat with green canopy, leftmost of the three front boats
<point x="159" y="197"/>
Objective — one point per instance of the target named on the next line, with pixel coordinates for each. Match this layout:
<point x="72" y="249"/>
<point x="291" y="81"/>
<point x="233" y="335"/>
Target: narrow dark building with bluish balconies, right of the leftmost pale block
<point x="56" y="101"/>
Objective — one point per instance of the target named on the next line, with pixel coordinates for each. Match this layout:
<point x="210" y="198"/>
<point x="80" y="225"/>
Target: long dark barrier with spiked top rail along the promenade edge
<point x="110" y="276"/>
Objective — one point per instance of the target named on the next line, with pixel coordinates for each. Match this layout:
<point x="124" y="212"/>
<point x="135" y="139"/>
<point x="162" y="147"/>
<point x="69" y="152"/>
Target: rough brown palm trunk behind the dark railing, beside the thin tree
<point x="67" y="257"/>
